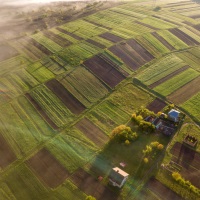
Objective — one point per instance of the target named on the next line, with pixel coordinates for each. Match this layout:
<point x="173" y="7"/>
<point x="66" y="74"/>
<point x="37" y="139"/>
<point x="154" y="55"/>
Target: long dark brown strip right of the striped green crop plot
<point x="66" y="97"/>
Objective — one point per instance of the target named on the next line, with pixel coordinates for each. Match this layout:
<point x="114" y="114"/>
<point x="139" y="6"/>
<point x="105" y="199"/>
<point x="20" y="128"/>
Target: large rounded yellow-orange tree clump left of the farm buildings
<point x="123" y="133"/>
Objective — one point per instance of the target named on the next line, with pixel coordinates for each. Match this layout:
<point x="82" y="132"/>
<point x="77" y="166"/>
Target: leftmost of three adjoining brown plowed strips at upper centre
<point x="125" y="57"/>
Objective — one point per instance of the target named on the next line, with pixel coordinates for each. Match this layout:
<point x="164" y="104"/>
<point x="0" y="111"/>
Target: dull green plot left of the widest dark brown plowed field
<point x="86" y="87"/>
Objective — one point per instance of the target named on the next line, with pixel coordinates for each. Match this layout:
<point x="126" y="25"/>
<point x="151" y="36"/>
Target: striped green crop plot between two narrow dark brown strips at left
<point x="50" y="103"/>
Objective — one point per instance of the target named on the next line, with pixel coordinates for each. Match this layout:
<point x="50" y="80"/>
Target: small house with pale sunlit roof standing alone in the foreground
<point x="117" y="177"/>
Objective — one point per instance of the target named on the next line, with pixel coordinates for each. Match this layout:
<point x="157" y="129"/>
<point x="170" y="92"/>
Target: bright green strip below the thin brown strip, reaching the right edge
<point x="176" y="82"/>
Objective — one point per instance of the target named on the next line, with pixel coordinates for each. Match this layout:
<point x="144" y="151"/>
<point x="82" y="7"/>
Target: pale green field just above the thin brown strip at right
<point x="160" y="69"/>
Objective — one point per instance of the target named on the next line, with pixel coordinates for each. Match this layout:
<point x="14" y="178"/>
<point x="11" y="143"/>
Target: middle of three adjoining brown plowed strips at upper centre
<point x="135" y="55"/>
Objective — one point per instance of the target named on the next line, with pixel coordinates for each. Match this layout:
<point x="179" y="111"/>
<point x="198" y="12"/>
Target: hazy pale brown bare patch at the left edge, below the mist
<point x="7" y="52"/>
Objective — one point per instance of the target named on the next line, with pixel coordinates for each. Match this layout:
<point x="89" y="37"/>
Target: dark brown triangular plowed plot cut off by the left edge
<point x="7" y="156"/>
